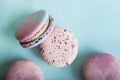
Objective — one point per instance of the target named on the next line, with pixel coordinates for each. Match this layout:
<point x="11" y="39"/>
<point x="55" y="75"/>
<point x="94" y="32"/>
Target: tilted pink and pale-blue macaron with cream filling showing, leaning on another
<point x="35" y="29"/>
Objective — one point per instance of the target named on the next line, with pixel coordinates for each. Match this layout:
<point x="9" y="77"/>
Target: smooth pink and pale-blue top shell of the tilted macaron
<point x="32" y="25"/>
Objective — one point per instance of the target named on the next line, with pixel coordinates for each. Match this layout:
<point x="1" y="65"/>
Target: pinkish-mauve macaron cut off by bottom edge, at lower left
<point x="24" y="70"/>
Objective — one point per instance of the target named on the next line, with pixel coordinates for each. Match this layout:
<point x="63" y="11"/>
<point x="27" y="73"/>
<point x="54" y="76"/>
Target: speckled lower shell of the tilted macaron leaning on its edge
<point x="41" y="38"/>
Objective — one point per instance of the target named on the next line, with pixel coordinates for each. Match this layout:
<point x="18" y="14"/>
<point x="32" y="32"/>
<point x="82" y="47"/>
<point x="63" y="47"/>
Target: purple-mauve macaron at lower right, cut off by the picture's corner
<point x="101" y="67"/>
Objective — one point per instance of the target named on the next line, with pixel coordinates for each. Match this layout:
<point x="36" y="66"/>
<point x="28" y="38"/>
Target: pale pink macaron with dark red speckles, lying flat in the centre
<point x="60" y="48"/>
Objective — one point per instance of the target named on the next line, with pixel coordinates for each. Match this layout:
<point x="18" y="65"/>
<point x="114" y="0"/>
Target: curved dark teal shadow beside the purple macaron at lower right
<point x="77" y="65"/>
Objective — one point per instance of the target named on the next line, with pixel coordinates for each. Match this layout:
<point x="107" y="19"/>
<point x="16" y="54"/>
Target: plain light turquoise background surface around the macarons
<point x="95" y="23"/>
